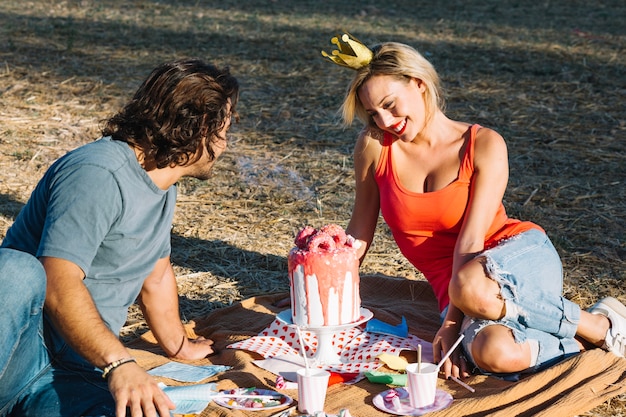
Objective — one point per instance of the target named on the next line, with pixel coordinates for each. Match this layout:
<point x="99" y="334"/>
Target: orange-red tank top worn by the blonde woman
<point x="426" y="225"/>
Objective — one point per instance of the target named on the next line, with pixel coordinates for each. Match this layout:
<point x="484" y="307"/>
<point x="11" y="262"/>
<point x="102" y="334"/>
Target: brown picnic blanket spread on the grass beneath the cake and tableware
<point x="571" y="387"/>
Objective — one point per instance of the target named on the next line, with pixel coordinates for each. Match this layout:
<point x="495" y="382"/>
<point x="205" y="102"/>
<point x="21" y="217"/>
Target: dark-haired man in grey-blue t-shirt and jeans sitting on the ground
<point x="93" y="238"/>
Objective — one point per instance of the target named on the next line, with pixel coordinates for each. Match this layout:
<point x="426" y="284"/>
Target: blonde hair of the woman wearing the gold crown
<point x="402" y="62"/>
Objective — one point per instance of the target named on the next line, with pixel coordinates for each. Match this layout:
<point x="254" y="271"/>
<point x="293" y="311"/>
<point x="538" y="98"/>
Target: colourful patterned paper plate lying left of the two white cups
<point x="249" y="402"/>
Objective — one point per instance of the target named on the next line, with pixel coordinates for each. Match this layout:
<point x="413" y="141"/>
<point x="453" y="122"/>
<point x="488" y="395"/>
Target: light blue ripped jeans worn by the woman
<point x="529" y="272"/>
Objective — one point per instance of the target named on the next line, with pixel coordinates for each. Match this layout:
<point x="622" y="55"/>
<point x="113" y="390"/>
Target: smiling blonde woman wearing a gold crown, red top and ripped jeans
<point x="439" y="185"/>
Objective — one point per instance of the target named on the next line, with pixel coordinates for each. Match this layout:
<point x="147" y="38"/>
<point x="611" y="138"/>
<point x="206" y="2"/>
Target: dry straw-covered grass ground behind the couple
<point x="548" y="75"/>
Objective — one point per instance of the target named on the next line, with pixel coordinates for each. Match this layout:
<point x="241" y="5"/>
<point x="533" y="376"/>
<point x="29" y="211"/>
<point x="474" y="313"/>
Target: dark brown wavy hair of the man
<point x="181" y="106"/>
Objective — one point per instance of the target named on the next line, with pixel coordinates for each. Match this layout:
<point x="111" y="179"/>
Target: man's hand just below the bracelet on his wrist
<point x="136" y="390"/>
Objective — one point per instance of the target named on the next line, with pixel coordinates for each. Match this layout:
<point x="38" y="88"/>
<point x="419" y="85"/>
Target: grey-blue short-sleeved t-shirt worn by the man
<point x="98" y="208"/>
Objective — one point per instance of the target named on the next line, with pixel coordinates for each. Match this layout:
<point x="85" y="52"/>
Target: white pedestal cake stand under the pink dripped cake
<point x="325" y="354"/>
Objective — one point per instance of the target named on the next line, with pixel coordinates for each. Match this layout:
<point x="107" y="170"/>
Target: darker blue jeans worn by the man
<point x="39" y="374"/>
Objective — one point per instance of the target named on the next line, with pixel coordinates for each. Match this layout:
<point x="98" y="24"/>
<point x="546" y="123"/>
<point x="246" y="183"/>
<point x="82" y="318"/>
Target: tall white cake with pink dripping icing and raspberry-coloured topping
<point x="324" y="278"/>
